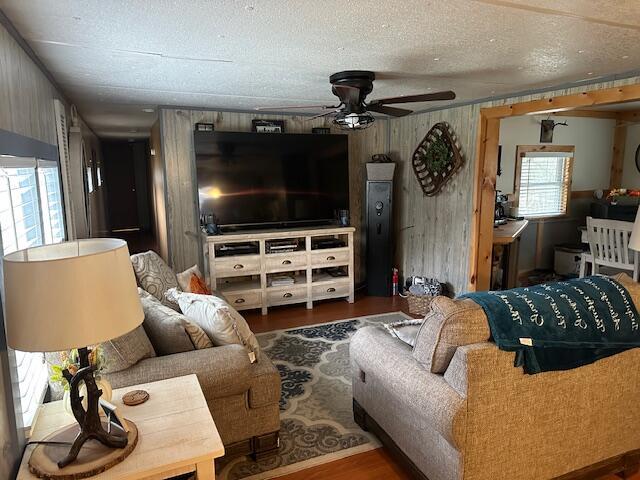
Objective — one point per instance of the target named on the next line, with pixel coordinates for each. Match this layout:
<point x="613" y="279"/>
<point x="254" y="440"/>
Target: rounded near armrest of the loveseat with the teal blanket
<point x="389" y="364"/>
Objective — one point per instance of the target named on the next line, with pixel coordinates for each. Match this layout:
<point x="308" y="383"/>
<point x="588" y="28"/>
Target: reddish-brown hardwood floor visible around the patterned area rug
<point x="373" y="465"/>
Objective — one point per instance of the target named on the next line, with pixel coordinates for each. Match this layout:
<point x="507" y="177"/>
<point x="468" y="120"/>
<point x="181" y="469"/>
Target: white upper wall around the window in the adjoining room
<point x="592" y="137"/>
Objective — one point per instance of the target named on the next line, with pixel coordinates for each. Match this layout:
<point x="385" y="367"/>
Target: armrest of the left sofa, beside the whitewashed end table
<point x="221" y="371"/>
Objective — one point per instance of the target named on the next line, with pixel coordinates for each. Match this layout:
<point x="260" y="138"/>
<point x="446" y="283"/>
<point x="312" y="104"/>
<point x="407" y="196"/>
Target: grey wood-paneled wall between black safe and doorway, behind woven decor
<point x="433" y="233"/>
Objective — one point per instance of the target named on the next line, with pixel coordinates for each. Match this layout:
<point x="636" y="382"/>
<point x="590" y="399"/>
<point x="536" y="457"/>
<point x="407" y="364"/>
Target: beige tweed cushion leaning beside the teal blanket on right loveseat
<point x="449" y="324"/>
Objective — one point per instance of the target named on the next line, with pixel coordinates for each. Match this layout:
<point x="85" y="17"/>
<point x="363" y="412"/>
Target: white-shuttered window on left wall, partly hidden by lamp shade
<point x="31" y="214"/>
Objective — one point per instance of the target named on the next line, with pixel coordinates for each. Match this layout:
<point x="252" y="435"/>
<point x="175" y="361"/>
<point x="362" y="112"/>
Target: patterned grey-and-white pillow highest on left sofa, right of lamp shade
<point x="154" y="276"/>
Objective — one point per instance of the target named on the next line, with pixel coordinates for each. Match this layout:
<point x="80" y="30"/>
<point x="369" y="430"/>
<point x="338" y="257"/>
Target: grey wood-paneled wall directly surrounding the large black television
<point x="179" y="163"/>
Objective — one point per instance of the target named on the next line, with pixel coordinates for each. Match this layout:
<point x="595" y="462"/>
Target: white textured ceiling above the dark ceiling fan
<point x="114" y="58"/>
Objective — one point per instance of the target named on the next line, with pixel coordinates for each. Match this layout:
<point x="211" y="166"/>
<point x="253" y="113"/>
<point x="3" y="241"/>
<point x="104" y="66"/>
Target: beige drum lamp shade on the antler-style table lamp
<point x="70" y="295"/>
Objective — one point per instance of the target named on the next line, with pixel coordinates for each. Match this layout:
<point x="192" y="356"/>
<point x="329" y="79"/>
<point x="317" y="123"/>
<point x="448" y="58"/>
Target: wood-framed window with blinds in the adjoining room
<point x="543" y="180"/>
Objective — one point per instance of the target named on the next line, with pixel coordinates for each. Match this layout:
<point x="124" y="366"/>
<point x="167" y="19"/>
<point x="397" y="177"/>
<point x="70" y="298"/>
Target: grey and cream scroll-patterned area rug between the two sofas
<point x="316" y="418"/>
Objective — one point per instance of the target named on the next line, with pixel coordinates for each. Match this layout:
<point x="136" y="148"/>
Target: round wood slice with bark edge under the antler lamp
<point x="94" y="458"/>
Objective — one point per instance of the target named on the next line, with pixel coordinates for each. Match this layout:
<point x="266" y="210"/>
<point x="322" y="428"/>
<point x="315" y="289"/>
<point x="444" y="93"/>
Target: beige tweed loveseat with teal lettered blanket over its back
<point x="455" y="406"/>
